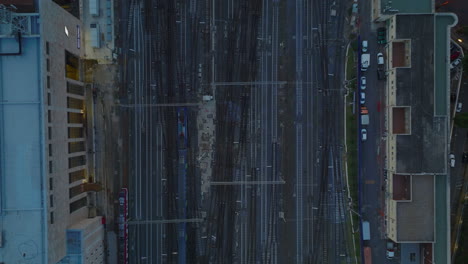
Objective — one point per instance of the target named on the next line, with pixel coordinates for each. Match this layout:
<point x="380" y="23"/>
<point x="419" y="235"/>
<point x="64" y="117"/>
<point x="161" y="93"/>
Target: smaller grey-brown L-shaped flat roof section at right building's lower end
<point x="415" y="218"/>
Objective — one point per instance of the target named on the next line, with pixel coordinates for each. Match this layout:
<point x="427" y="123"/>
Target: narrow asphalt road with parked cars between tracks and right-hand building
<point x="372" y="151"/>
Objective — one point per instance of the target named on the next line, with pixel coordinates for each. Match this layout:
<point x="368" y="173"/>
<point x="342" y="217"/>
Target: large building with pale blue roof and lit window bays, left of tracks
<point x="45" y="213"/>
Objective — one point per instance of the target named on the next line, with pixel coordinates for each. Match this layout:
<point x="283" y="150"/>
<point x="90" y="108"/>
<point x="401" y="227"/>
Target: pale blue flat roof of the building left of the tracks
<point x="22" y="172"/>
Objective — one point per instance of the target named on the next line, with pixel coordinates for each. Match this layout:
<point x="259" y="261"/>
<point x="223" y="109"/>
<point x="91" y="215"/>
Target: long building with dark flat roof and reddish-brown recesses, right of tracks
<point x="417" y="125"/>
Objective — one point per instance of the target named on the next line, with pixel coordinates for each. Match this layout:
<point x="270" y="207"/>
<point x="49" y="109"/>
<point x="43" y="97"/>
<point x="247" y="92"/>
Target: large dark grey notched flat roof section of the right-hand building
<point x="415" y="88"/>
